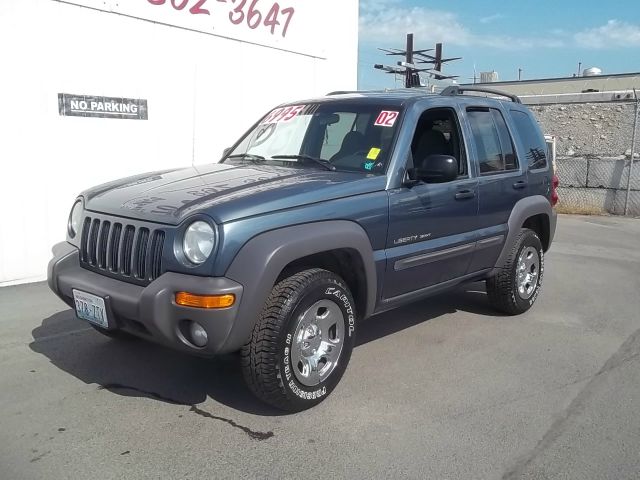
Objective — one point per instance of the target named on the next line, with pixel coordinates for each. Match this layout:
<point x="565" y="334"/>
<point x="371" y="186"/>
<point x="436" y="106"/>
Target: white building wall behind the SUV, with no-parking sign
<point x="202" y="91"/>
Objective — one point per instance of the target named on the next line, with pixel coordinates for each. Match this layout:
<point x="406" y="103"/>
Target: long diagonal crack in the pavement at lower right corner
<point x="629" y="350"/>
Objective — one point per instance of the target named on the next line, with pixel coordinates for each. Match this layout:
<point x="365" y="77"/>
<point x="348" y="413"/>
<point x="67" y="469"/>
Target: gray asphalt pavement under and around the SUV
<point x="441" y="389"/>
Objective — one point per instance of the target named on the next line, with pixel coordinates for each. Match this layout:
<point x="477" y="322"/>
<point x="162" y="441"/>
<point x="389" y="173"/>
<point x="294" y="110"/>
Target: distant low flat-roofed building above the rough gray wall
<point x="591" y="82"/>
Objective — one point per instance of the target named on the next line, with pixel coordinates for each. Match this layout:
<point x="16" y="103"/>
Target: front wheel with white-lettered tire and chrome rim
<point x="308" y="320"/>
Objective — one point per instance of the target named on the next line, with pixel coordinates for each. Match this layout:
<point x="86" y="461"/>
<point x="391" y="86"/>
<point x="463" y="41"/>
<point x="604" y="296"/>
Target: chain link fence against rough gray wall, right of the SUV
<point x="596" y="155"/>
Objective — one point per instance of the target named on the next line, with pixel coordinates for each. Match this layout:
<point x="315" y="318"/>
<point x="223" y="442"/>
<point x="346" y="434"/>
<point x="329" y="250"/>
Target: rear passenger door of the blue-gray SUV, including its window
<point x="502" y="180"/>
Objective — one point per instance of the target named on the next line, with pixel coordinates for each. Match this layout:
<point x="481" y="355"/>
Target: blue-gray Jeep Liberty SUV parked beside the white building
<point x="326" y="212"/>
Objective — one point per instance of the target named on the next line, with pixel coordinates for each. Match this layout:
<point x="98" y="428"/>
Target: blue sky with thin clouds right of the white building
<point x="544" y="38"/>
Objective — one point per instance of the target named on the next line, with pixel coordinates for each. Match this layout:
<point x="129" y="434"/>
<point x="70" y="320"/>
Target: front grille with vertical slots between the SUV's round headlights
<point x="130" y="252"/>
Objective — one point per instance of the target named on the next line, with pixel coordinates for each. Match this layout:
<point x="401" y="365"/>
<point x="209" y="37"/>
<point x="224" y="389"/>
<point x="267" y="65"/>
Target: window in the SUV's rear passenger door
<point x="493" y="142"/>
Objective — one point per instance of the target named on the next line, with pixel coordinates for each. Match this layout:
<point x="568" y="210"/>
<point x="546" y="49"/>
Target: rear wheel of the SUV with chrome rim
<point x="515" y="288"/>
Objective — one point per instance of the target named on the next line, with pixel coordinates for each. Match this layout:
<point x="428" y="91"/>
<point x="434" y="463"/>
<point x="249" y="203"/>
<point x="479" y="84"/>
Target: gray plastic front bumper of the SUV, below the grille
<point x="150" y="312"/>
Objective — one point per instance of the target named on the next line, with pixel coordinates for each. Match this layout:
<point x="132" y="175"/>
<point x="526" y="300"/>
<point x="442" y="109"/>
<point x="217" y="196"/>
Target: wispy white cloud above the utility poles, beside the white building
<point x="388" y="21"/>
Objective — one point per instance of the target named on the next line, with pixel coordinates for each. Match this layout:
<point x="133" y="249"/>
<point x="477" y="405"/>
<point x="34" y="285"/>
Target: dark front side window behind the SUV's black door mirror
<point x="438" y="133"/>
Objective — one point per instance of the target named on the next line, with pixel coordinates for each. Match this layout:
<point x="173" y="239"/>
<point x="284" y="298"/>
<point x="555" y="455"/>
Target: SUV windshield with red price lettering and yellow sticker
<point x="347" y="136"/>
